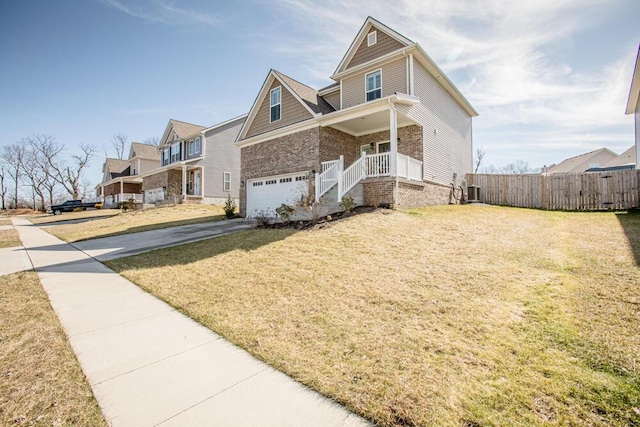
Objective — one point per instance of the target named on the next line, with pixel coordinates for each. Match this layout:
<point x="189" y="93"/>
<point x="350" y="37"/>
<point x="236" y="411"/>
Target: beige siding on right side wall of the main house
<point x="447" y="133"/>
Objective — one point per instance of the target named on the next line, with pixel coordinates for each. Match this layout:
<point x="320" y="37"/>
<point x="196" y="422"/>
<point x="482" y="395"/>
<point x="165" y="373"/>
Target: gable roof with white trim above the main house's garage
<point x="305" y="95"/>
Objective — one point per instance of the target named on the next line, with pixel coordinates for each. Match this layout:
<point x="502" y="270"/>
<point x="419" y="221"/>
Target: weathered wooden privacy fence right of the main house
<point x="589" y="191"/>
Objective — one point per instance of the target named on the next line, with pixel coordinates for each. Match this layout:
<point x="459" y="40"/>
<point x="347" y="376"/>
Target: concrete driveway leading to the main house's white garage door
<point x="108" y="248"/>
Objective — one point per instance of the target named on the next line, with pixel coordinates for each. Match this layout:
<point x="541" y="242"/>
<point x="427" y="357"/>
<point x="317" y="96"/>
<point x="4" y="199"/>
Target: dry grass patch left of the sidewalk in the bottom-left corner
<point x="42" y="383"/>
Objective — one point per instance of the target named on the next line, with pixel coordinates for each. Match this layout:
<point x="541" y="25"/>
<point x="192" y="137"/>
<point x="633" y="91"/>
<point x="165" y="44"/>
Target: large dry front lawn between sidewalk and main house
<point x="462" y="315"/>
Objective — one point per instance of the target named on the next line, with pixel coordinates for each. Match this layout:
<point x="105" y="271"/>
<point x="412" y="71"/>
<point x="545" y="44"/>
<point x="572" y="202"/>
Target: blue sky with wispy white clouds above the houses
<point x="549" y="78"/>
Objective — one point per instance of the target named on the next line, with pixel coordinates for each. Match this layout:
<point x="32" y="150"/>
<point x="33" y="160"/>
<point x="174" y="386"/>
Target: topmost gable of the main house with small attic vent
<point x="374" y="40"/>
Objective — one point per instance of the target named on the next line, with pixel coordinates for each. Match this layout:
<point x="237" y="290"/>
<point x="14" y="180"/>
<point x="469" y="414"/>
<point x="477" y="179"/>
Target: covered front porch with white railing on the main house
<point x="376" y="128"/>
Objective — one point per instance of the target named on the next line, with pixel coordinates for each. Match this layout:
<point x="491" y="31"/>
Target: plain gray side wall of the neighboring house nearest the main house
<point x="221" y="156"/>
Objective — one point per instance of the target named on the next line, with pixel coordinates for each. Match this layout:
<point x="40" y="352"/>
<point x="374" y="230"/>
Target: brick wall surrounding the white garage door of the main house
<point x="288" y="154"/>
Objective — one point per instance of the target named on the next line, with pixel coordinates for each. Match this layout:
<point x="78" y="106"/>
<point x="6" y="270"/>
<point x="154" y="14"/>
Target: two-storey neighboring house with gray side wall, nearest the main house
<point x="197" y="164"/>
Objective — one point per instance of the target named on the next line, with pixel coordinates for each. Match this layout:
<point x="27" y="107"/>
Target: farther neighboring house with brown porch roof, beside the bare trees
<point x="122" y="180"/>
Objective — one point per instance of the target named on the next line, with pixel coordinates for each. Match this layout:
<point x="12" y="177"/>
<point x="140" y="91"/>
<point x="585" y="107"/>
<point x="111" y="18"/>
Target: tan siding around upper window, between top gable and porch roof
<point x="394" y="79"/>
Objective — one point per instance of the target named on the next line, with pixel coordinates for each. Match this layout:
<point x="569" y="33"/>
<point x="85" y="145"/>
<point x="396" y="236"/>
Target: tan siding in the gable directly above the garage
<point x="291" y="111"/>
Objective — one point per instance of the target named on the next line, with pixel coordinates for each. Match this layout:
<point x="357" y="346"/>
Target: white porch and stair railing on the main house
<point x="367" y="166"/>
